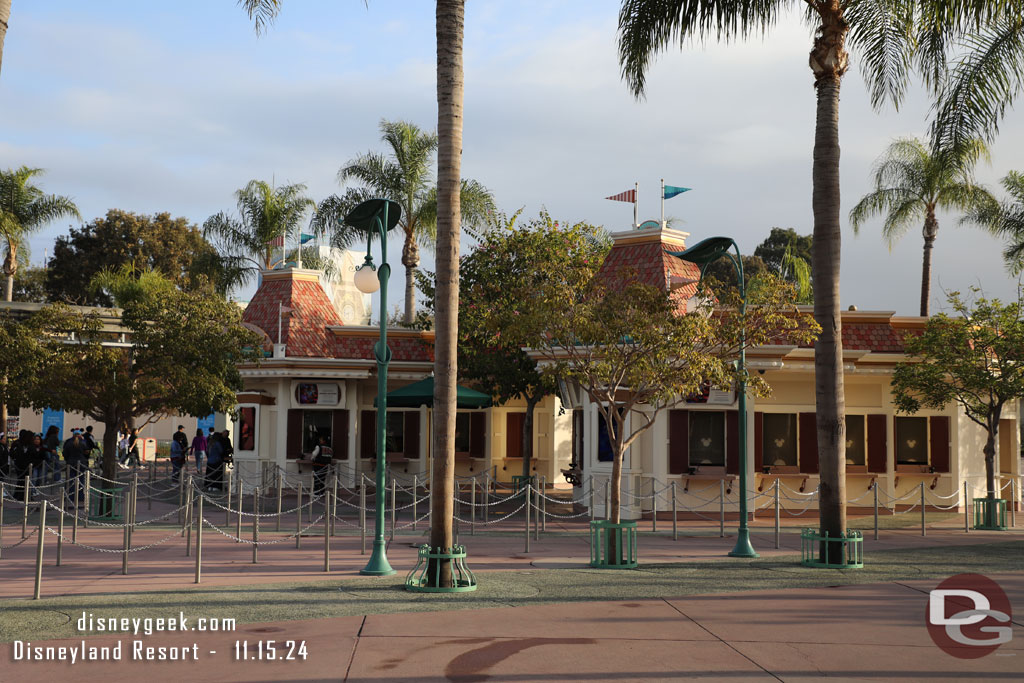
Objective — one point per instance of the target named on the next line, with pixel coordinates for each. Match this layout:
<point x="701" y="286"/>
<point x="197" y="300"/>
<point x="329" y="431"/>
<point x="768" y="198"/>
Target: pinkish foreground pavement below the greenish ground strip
<point x="871" y="632"/>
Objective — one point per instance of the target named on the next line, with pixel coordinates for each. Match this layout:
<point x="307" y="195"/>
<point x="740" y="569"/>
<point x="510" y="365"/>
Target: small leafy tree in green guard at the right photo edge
<point x="972" y="360"/>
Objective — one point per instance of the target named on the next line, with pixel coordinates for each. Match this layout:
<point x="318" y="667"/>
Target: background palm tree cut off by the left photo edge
<point x="25" y="209"/>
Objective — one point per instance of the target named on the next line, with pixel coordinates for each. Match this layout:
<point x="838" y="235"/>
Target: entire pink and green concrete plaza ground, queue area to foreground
<point x="538" y="616"/>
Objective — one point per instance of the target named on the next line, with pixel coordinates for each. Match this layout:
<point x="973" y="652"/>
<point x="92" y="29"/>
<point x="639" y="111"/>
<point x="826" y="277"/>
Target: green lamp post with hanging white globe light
<point x="376" y="218"/>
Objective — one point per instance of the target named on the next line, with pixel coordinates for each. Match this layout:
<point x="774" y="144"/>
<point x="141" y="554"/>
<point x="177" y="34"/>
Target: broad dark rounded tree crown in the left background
<point x="173" y="246"/>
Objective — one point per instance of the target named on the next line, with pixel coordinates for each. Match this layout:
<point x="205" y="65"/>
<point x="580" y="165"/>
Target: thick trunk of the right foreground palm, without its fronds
<point x="829" y="62"/>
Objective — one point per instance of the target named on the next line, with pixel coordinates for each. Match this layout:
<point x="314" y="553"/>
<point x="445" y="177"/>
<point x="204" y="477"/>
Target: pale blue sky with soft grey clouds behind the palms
<point x="174" y="107"/>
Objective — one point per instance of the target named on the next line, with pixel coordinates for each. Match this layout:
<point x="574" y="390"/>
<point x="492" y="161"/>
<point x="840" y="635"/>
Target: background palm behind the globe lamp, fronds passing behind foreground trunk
<point x="404" y="177"/>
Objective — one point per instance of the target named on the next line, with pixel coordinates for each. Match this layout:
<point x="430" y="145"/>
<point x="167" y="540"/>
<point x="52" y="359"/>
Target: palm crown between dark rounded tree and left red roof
<point x="269" y="218"/>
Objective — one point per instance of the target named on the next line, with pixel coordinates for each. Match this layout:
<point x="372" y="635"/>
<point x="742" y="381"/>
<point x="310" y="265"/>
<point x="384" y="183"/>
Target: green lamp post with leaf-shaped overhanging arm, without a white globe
<point x="704" y="254"/>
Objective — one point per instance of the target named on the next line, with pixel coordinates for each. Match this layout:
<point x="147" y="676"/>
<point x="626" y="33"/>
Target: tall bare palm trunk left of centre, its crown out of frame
<point x="451" y="20"/>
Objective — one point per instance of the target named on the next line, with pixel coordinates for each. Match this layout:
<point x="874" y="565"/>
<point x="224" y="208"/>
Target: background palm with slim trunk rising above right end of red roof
<point x="912" y="182"/>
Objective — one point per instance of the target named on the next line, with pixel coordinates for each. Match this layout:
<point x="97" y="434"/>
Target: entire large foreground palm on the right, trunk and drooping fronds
<point x="892" y="37"/>
